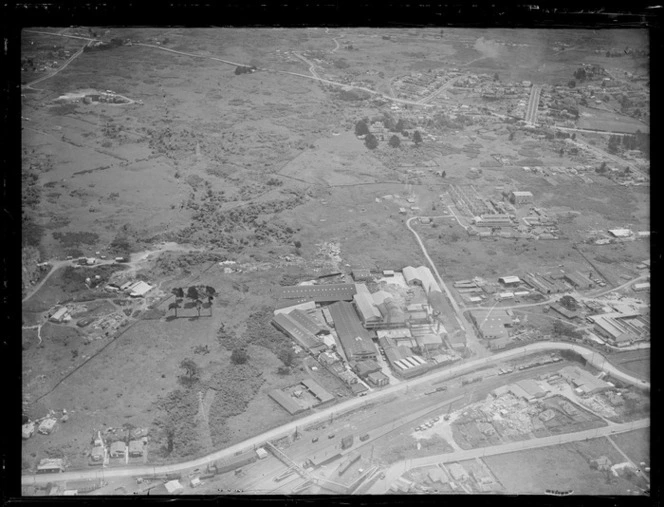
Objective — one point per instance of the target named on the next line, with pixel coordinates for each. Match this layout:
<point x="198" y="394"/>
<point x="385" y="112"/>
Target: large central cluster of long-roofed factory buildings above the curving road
<point x="364" y="324"/>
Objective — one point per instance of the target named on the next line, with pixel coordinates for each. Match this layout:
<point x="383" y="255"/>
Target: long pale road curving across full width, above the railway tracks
<point x="594" y="358"/>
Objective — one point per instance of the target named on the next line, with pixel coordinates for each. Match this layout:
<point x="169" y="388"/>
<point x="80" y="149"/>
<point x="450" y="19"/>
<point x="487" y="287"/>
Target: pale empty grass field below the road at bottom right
<point x="544" y="472"/>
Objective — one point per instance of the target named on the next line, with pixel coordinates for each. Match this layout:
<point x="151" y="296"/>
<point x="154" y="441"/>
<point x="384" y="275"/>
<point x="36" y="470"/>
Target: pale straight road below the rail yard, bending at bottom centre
<point x="397" y="469"/>
